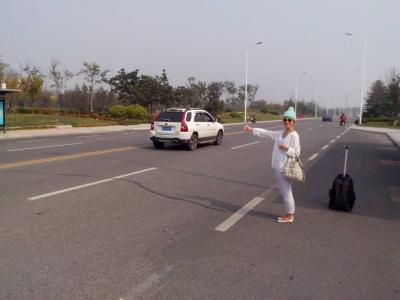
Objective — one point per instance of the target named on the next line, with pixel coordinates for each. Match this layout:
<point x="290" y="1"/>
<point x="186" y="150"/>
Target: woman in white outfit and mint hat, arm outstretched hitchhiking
<point x="287" y="143"/>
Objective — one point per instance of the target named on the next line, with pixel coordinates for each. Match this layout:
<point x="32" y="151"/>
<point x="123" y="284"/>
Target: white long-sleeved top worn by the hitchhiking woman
<point x="279" y="156"/>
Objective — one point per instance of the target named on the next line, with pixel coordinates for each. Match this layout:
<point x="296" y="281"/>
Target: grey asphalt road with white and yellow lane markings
<point x="106" y="216"/>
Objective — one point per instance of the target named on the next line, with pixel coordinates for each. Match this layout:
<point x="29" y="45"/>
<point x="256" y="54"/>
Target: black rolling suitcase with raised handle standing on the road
<point x="342" y="195"/>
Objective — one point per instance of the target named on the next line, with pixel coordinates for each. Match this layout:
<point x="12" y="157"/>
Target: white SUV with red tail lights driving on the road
<point x="185" y="126"/>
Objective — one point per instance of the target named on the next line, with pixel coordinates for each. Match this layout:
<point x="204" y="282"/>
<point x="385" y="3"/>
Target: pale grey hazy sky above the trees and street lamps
<point x="208" y="40"/>
